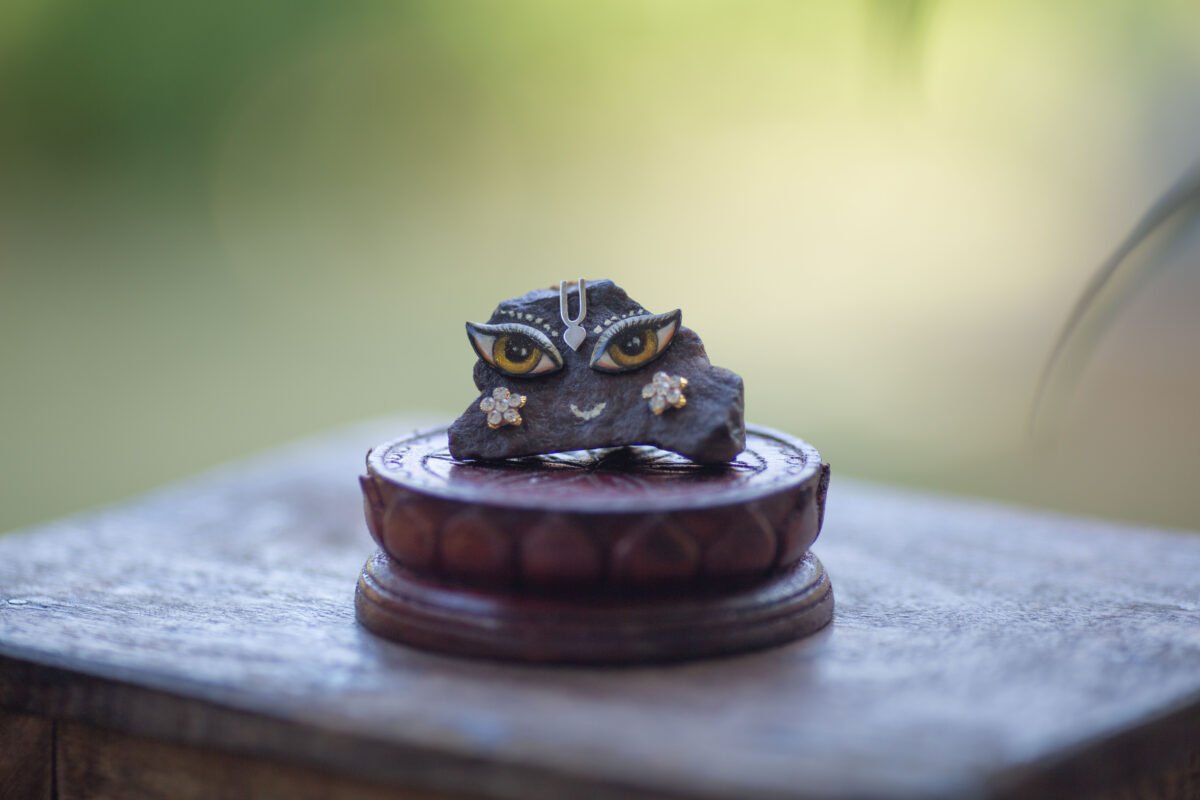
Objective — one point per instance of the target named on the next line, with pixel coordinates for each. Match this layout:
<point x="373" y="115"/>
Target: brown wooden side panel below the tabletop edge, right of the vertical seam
<point x="98" y="765"/>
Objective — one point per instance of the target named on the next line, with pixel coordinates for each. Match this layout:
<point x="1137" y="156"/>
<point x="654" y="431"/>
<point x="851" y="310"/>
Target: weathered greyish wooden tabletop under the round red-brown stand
<point x="975" y="651"/>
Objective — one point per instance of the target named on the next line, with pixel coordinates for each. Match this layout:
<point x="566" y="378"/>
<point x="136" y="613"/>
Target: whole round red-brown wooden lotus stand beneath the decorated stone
<point x="597" y="557"/>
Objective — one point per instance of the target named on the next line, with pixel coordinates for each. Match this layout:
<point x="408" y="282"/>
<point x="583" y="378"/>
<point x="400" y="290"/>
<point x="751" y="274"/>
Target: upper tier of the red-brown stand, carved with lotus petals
<point x="620" y="520"/>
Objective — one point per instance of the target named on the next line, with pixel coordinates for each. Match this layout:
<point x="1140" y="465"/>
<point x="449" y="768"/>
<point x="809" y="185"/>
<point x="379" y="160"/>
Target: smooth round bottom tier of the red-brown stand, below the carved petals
<point x="398" y="604"/>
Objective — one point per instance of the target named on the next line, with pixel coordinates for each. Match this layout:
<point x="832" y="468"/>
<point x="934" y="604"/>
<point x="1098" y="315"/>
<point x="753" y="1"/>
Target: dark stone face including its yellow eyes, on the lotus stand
<point x="587" y="400"/>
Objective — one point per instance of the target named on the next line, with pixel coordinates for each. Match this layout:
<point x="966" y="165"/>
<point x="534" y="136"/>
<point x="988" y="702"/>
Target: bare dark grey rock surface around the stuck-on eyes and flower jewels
<point x="711" y="429"/>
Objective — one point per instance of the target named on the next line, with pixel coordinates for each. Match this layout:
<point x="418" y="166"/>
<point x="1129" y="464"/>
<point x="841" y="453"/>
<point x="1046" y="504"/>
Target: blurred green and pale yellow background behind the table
<point x="225" y="225"/>
